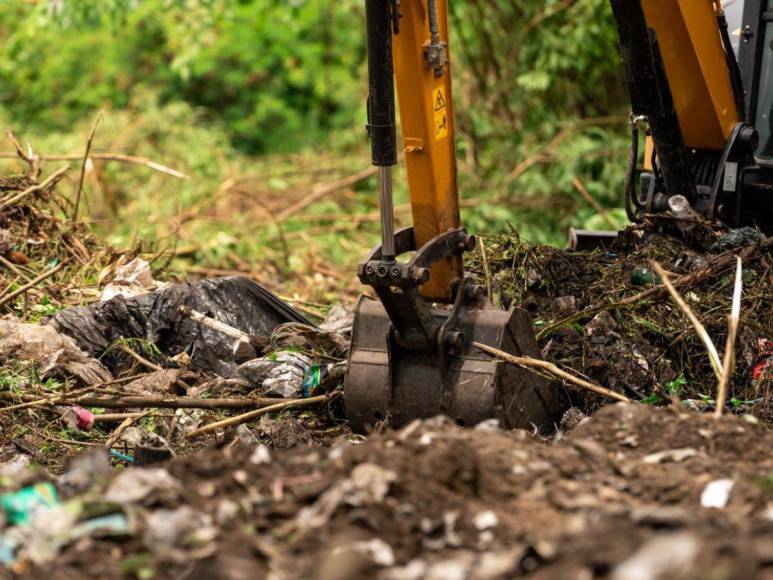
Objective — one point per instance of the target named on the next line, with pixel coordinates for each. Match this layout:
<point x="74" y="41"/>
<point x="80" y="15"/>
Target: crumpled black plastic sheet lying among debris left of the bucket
<point x="156" y="317"/>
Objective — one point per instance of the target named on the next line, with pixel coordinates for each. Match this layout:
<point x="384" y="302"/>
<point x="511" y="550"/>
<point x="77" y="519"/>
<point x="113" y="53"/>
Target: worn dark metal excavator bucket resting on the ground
<point x="392" y="377"/>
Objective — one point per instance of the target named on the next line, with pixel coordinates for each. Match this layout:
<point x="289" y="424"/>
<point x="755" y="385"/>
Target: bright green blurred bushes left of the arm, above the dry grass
<point x="278" y="73"/>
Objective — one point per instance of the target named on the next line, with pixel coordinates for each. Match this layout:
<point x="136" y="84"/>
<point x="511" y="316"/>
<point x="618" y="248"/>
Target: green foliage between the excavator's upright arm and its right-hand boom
<point x="543" y="103"/>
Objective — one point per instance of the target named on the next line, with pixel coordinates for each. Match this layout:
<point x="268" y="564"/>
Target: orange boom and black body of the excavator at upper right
<point x="700" y="76"/>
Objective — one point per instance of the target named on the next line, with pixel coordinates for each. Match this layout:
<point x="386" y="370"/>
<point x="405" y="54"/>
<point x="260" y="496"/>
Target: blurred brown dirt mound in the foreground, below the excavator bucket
<point x="623" y="490"/>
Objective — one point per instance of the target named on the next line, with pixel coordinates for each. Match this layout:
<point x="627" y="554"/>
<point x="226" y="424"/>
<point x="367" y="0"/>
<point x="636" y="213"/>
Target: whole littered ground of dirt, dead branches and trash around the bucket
<point x="234" y="398"/>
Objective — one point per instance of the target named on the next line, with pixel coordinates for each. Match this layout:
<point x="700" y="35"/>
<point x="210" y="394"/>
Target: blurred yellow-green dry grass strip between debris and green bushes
<point x="232" y="214"/>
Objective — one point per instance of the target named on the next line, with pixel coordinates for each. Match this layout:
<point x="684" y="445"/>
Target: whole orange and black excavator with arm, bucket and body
<point x="699" y="77"/>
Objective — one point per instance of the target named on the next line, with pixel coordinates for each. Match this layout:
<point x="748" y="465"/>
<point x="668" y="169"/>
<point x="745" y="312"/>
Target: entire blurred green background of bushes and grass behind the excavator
<point x="205" y="85"/>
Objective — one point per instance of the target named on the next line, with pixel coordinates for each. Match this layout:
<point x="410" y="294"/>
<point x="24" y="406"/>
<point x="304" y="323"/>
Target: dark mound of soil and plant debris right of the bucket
<point x="604" y="315"/>
